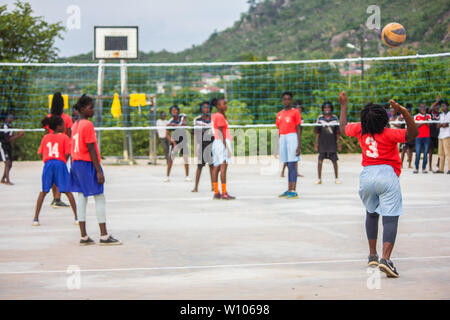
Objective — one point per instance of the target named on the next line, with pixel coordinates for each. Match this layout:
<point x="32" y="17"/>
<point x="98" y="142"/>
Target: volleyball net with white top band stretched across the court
<point x="132" y="95"/>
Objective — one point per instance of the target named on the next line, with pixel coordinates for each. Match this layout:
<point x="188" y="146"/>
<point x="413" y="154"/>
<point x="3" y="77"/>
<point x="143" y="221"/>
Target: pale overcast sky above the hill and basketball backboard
<point x="163" y="24"/>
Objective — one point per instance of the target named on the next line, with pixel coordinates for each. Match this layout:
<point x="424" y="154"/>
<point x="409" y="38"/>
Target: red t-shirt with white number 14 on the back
<point x="54" y="146"/>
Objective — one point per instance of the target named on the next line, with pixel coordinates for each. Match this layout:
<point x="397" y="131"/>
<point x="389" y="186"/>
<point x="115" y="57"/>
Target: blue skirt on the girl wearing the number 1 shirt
<point x="83" y="178"/>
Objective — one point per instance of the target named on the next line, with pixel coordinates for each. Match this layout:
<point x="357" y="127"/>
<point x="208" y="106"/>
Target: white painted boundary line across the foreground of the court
<point x="224" y="266"/>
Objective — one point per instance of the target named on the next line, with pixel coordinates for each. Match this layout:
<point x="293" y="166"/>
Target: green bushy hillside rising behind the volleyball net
<point x="299" y="29"/>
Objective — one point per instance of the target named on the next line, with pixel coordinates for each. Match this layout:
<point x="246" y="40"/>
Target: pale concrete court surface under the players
<point x="180" y="245"/>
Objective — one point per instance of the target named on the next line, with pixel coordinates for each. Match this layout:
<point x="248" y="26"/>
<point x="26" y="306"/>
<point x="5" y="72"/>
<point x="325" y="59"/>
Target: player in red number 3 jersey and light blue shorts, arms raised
<point x="379" y="184"/>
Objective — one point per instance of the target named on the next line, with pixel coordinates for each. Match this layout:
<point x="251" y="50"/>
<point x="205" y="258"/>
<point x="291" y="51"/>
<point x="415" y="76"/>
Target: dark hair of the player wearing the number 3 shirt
<point x="374" y="119"/>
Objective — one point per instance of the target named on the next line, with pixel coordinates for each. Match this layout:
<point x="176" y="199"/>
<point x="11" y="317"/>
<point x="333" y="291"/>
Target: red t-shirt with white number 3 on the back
<point x="380" y="149"/>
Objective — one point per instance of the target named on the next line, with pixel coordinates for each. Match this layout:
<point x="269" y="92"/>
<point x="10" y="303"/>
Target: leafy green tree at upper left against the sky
<point x="24" y="38"/>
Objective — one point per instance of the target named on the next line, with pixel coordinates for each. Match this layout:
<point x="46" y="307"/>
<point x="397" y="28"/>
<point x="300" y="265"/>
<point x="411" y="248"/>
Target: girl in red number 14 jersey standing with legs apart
<point x="55" y="148"/>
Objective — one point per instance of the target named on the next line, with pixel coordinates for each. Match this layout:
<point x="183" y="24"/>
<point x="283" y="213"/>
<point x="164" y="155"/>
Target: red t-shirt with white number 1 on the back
<point x="83" y="133"/>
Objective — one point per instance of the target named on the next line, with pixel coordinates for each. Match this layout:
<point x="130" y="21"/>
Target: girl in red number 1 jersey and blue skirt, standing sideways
<point x="86" y="174"/>
